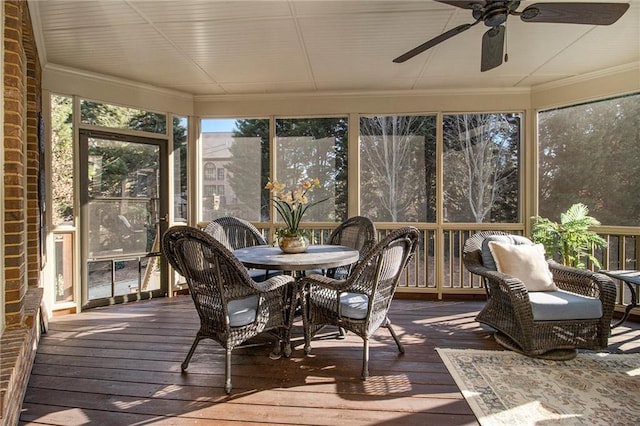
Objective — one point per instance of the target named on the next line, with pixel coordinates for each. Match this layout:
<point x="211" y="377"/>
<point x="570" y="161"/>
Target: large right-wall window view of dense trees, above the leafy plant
<point x="590" y="153"/>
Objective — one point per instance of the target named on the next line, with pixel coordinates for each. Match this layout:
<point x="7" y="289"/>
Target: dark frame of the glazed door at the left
<point x="163" y="214"/>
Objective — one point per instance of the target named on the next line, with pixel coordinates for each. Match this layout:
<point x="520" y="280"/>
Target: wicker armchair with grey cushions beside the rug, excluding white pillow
<point x="550" y="325"/>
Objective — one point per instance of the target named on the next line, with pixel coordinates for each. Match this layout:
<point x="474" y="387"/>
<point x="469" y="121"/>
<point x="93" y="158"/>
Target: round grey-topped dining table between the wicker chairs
<point x="317" y="256"/>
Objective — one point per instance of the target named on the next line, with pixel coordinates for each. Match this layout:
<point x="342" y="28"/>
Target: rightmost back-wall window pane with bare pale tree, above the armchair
<point x="481" y="167"/>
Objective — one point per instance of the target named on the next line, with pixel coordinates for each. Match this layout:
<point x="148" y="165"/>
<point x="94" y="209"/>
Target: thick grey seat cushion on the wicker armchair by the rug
<point x="563" y="305"/>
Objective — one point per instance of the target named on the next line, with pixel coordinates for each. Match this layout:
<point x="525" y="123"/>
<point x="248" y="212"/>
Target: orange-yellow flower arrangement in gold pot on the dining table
<point x="292" y="204"/>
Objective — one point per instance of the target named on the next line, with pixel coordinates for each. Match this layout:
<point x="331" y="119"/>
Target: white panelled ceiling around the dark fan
<point x="217" y="47"/>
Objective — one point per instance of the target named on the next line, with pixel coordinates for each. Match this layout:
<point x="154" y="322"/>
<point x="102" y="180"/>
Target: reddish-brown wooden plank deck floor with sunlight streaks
<point x="121" y="366"/>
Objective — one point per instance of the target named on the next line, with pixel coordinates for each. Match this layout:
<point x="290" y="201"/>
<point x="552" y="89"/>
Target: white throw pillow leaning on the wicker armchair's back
<point x="526" y="262"/>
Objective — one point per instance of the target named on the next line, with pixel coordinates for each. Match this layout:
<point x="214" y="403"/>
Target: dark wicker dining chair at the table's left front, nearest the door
<point x="232" y="307"/>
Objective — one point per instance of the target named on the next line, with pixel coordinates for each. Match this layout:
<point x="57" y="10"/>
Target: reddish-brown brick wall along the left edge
<point x="22" y="104"/>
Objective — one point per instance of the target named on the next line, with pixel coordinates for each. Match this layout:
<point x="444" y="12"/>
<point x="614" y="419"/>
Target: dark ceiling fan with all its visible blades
<point x="495" y="13"/>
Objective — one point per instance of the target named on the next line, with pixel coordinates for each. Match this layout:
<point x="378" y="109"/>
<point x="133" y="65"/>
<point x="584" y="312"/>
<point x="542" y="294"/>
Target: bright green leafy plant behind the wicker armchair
<point x="570" y="239"/>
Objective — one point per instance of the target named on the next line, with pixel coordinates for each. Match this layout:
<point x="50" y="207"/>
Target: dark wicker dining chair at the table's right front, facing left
<point x="360" y="302"/>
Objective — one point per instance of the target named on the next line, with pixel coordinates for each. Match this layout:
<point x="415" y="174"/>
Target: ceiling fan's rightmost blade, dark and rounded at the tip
<point x="575" y="13"/>
